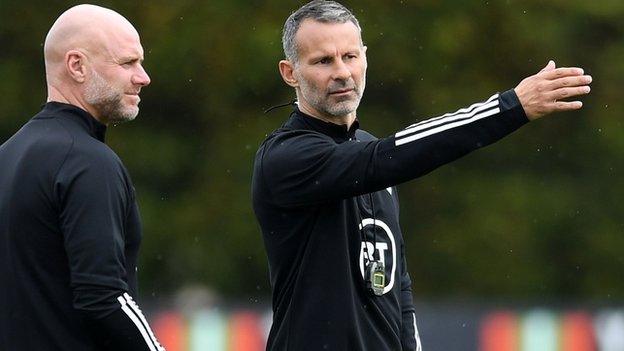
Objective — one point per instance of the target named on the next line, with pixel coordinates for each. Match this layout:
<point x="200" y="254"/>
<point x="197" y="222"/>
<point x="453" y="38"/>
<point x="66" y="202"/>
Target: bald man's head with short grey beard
<point x="83" y="52"/>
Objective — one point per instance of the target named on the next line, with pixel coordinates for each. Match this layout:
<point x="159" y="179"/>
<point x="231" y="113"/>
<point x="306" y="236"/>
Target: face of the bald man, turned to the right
<point x="117" y="76"/>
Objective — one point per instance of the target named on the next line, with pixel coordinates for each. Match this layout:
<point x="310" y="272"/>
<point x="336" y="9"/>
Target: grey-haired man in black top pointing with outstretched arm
<point x="324" y="195"/>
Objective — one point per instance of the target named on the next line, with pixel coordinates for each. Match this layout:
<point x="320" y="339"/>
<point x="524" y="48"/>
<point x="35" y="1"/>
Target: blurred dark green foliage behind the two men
<point x="538" y="215"/>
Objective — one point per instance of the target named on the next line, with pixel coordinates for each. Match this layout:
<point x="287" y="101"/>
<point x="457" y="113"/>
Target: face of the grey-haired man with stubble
<point x="331" y="71"/>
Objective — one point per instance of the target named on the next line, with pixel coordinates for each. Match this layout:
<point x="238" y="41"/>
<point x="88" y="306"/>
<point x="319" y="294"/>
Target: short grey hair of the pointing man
<point x="319" y="10"/>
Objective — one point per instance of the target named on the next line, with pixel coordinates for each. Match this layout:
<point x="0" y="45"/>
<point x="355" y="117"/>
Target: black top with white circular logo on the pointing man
<point x="315" y="184"/>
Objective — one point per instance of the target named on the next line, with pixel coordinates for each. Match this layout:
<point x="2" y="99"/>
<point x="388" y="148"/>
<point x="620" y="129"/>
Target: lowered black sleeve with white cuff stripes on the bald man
<point x="94" y="202"/>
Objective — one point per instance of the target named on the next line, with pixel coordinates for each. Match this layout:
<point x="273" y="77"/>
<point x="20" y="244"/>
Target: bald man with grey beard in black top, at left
<point x="69" y="223"/>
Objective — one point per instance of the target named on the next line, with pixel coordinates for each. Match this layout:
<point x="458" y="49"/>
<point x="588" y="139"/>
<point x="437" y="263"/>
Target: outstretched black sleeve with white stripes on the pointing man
<point x="302" y="167"/>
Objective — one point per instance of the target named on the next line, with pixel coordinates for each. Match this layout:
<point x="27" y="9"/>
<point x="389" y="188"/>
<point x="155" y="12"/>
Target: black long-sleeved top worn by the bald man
<point x="69" y="238"/>
